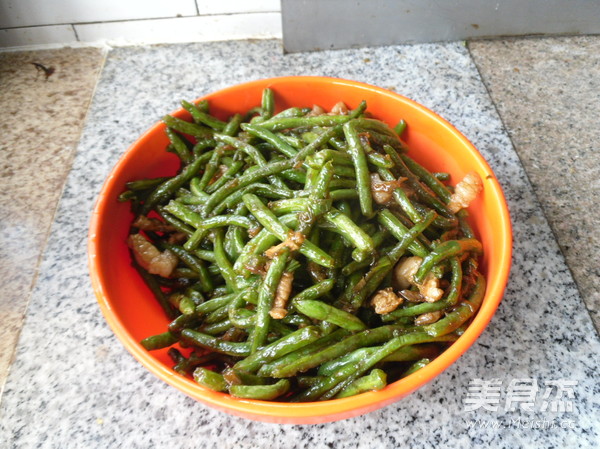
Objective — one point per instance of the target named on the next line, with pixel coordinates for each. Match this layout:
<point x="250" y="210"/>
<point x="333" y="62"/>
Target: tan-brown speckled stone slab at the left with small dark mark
<point x="40" y="127"/>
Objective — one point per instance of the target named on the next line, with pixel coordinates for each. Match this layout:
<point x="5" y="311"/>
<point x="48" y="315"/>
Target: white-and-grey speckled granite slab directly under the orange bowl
<point x="73" y="384"/>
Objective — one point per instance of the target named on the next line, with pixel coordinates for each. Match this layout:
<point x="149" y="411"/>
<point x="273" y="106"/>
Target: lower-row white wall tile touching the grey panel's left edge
<point x="187" y="29"/>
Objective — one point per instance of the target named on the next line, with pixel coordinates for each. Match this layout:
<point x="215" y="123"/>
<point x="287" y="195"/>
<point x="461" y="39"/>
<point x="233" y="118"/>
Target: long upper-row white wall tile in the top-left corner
<point x="21" y="13"/>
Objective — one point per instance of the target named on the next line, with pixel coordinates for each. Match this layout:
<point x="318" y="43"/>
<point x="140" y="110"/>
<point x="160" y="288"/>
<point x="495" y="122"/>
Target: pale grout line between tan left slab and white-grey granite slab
<point x="50" y="225"/>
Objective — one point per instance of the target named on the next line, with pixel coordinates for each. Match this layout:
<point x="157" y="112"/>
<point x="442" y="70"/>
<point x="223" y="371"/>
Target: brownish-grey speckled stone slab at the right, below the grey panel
<point x="547" y="92"/>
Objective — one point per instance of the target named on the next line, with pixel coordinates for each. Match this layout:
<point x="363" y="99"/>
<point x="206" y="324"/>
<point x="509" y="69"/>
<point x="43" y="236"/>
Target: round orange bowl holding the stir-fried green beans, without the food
<point x="133" y="314"/>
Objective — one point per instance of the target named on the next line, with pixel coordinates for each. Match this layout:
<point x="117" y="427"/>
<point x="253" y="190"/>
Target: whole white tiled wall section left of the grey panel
<point x="54" y="22"/>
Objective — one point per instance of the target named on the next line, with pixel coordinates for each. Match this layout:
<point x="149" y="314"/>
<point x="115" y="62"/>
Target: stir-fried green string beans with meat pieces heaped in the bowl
<point x="301" y="255"/>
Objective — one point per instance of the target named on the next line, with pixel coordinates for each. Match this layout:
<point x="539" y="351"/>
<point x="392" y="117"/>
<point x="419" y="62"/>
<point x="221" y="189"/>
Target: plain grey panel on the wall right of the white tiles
<point x="330" y="24"/>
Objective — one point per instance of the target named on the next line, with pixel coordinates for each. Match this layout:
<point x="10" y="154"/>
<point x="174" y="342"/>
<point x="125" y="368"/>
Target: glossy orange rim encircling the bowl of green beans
<point x="309" y="412"/>
